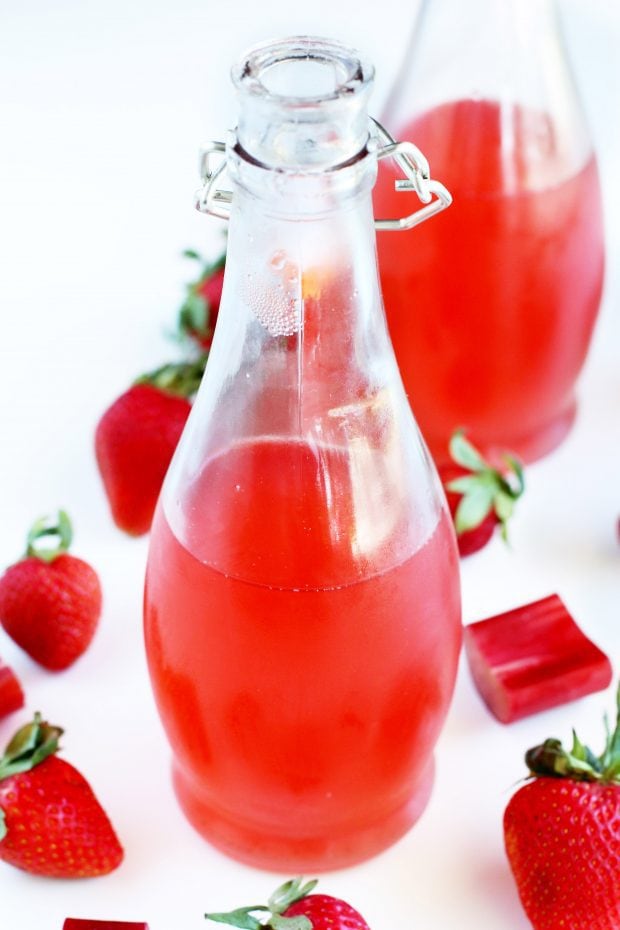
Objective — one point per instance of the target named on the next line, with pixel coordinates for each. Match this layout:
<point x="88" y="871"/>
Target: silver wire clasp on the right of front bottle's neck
<point x="416" y="169"/>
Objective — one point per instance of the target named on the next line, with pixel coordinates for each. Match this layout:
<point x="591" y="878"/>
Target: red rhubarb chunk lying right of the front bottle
<point x="532" y="658"/>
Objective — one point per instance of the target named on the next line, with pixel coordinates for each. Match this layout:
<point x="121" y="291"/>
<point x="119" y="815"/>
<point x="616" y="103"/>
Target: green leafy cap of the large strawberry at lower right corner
<point x="579" y="763"/>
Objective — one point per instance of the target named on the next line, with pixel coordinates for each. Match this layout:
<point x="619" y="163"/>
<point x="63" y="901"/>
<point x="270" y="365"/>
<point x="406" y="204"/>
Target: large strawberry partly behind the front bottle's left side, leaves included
<point x="136" y="438"/>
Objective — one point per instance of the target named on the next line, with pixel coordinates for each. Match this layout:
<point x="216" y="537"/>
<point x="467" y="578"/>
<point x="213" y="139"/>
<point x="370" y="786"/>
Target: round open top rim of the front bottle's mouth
<point x="303" y="71"/>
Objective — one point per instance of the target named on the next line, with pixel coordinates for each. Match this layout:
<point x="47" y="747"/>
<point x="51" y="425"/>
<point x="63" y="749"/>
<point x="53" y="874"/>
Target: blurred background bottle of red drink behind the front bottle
<point x="491" y="307"/>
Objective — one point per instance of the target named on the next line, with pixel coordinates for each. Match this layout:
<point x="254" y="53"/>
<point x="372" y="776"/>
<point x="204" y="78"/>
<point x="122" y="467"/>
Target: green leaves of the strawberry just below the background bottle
<point x="486" y="489"/>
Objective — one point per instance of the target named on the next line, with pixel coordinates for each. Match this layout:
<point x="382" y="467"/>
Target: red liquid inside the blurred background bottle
<point x="491" y="305"/>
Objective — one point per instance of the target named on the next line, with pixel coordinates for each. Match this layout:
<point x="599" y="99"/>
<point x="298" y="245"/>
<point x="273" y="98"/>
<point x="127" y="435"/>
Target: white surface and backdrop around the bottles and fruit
<point x="104" y="105"/>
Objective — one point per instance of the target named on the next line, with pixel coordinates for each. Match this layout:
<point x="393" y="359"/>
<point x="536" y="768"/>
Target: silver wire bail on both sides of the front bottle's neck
<point x="409" y="158"/>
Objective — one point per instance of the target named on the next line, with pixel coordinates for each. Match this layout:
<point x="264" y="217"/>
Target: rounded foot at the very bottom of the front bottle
<point x="264" y="849"/>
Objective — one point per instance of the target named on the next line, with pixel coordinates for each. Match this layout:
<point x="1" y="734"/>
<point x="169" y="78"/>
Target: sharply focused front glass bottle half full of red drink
<point x="302" y="611"/>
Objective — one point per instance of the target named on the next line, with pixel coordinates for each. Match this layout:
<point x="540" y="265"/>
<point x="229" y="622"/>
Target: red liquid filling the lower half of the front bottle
<point x="302" y="713"/>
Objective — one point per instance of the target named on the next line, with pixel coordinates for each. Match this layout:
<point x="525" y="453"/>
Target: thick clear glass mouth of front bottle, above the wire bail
<point x="303" y="103"/>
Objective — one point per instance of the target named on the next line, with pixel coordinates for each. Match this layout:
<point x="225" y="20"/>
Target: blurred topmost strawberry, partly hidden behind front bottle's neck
<point x="198" y="313"/>
